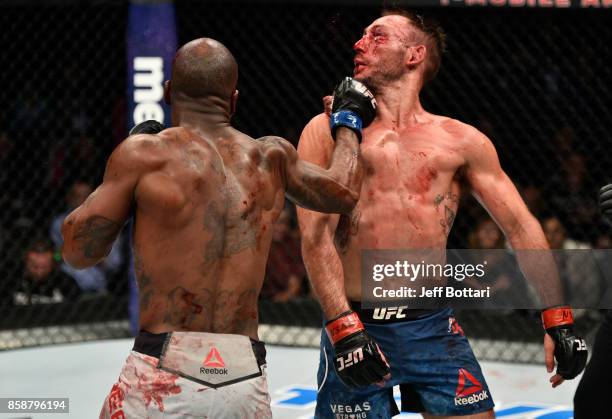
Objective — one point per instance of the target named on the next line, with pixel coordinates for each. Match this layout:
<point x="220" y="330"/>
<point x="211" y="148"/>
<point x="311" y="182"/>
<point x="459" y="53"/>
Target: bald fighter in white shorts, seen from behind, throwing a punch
<point x="205" y="197"/>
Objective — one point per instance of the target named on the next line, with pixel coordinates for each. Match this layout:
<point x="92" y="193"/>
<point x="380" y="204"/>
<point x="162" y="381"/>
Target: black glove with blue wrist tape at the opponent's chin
<point x="353" y="106"/>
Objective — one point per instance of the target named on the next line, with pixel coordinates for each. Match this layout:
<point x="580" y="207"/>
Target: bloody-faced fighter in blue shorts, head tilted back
<point x="415" y="164"/>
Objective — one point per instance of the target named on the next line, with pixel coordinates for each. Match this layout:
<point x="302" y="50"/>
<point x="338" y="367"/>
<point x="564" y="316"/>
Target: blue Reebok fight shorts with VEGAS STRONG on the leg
<point x="430" y="358"/>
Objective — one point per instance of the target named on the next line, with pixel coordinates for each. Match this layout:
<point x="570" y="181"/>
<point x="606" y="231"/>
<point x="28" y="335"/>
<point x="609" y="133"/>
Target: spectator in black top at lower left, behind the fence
<point x="41" y="281"/>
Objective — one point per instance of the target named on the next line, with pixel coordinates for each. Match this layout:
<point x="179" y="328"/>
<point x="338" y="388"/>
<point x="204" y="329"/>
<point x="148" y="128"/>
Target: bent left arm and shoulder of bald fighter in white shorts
<point x="90" y="230"/>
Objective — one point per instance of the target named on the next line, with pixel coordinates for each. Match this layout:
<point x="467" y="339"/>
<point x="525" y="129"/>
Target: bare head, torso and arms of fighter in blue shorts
<point x="416" y="165"/>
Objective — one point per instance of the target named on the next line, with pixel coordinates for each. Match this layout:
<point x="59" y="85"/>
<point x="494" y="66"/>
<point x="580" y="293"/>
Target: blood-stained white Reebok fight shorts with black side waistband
<point x="191" y="375"/>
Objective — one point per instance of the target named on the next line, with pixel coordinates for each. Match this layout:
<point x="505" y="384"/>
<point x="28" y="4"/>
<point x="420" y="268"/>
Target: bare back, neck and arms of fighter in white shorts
<point x="205" y="198"/>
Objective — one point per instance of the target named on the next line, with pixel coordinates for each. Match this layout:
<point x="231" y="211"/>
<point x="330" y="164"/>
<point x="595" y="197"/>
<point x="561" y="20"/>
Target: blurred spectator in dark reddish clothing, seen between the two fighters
<point x="285" y="270"/>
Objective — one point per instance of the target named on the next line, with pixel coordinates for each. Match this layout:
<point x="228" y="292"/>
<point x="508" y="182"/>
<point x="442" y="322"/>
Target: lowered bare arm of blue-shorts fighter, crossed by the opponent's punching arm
<point x="318" y="250"/>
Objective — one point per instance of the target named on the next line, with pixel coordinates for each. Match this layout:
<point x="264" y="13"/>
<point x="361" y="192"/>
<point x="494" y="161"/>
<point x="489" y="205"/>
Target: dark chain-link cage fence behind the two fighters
<point x="536" y="82"/>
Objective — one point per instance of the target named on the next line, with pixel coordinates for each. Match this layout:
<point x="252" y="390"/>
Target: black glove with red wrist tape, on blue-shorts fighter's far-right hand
<point x="570" y="351"/>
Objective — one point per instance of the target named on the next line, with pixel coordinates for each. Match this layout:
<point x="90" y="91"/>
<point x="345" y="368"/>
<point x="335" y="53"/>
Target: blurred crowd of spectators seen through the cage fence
<point x="30" y="233"/>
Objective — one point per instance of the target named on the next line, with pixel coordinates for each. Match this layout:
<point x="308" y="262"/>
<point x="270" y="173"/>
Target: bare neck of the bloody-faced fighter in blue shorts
<point x="400" y="106"/>
